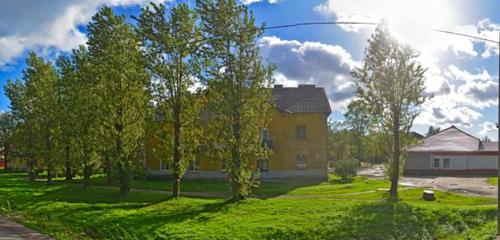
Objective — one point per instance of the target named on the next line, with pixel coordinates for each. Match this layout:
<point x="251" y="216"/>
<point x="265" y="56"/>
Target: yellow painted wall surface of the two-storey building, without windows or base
<point x="282" y="129"/>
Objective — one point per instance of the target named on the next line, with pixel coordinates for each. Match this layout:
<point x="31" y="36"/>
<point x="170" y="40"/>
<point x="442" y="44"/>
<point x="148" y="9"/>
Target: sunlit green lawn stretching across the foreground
<point x="329" y="210"/>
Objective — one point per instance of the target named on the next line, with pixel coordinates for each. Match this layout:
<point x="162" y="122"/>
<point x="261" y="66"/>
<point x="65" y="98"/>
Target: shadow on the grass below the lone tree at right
<point x="392" y="220"/>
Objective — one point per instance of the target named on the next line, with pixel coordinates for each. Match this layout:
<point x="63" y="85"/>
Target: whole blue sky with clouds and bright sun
<point x="462" y="73"/>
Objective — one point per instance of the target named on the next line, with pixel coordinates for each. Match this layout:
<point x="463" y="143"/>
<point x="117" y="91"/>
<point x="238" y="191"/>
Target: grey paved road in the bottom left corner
<point x="13" y="231"/>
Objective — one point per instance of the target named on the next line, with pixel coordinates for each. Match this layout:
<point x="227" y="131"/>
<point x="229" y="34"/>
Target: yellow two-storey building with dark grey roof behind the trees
<point x="297" y="134"/>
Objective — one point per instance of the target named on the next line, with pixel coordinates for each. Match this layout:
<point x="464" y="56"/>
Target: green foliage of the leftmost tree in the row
<point x="35" y="106"/>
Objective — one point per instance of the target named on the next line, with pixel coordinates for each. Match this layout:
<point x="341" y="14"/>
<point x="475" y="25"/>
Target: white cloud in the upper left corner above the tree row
<point x="43" y="25"/>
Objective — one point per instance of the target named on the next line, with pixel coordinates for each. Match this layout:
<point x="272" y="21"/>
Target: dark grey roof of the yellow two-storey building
<point x="301" y="99"/>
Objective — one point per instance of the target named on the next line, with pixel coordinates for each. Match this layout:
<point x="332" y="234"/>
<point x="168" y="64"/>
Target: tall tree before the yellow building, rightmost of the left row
<point x="239" y="87"/>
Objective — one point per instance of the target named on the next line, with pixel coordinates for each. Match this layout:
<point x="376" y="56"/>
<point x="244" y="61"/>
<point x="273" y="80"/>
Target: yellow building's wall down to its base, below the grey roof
<point x="285" y="146"/>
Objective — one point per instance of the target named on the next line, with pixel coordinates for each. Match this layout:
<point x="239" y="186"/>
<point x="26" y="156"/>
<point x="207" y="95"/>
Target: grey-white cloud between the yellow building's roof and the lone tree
<point x="327" y="66"/>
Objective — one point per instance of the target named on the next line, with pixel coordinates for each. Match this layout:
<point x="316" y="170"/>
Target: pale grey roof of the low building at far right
<point x="451" y="139"/>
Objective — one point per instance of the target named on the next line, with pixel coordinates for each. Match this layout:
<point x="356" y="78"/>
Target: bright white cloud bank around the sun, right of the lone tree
<point x="459" y="95"/>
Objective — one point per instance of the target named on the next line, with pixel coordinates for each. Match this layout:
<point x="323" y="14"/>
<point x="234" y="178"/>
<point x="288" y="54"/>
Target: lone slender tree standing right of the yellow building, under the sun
<point x="390" y="83"/>
